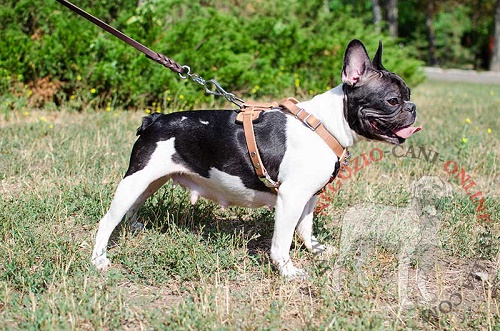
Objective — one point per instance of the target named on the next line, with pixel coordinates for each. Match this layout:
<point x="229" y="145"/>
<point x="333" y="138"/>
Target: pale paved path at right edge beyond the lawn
<point x="456" y="75"/>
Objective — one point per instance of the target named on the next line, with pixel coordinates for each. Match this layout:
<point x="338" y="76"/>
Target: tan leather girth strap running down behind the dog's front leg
<point x="249" y="113"/>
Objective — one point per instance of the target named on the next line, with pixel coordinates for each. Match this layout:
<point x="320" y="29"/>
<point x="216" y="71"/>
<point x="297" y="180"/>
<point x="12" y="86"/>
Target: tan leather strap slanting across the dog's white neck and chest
<point x="313" y="123"/>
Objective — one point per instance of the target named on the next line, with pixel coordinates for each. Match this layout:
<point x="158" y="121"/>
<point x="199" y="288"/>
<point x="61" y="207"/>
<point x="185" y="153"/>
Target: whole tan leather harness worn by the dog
<point x="249" y="112"/>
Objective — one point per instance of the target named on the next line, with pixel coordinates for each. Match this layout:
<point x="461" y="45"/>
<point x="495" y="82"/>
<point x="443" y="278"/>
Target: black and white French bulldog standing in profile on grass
<point x="206" y="152"/>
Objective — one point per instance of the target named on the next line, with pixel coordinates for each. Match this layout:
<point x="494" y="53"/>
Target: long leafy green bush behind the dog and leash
<point x="50" y="55"/>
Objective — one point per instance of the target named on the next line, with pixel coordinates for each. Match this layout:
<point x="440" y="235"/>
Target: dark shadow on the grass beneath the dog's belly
<point x="171" y="207"/>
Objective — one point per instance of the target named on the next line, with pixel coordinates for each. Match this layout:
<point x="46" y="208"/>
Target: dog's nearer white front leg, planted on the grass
<point x="289" y="207"/>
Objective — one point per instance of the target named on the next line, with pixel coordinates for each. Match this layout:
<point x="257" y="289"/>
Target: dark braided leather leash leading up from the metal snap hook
<point x="158" y="57"/>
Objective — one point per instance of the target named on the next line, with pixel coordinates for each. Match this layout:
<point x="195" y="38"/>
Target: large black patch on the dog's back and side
<point x="219" y="144"/>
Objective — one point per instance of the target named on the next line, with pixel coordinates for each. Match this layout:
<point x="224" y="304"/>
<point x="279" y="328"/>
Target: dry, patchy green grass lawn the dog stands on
<point x="200" y="267"/>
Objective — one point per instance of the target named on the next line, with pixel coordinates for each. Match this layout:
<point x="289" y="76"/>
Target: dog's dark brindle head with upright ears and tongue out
<point x="378" y="101"/>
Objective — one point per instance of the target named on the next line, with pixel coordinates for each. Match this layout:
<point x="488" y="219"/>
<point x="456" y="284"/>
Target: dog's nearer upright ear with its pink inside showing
<point x="356" y="62"/>
